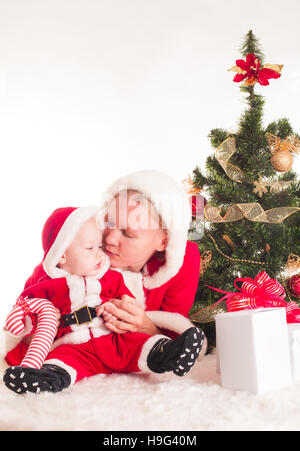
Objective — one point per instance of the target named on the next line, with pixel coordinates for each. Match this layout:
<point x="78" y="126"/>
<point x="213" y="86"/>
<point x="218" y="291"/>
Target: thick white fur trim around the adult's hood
<point x="174" y="209"/>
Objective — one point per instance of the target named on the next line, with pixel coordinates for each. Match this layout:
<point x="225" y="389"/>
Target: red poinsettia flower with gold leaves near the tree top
<point x="251" y="71"/>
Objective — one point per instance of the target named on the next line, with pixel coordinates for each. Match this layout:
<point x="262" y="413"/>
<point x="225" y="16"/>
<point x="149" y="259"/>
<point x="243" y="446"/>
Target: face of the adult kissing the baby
<point x="133" y="233"/>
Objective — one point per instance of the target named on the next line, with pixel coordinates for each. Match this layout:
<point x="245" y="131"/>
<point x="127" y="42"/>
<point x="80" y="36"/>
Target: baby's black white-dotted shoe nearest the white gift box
<point x="178" y="355"/>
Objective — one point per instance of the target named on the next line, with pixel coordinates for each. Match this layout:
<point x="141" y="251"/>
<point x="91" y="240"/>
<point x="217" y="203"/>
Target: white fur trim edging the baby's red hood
<point x="64" y="238"/>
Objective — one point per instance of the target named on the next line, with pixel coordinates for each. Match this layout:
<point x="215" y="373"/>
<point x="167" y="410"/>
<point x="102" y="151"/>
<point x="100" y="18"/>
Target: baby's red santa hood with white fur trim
<point x="58" y="233"/>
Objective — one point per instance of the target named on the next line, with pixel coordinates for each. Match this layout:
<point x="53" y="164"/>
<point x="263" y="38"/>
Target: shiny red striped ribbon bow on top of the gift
<point x="260" y="292"/>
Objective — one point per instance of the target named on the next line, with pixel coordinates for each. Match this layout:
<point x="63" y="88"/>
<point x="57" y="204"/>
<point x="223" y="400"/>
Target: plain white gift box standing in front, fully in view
<point x="253" y="350"/>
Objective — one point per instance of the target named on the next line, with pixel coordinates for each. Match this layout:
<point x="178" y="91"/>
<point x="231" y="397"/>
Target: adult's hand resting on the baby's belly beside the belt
<point x="126" y="315"/>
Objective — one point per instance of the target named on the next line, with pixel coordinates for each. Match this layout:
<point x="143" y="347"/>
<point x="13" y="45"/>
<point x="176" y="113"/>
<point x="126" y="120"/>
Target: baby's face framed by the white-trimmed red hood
<point x="84" y="257"/>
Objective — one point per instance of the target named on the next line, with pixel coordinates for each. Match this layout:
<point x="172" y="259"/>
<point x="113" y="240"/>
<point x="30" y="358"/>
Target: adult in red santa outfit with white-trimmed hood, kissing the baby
<point x="158" y="264"/>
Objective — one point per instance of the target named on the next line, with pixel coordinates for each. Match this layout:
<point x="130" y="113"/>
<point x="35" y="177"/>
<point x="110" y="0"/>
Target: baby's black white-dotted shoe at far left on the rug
<point x="49" y="378"/>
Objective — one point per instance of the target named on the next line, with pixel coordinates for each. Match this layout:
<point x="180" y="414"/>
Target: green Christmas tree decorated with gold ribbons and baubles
<point x="252" y="215"/>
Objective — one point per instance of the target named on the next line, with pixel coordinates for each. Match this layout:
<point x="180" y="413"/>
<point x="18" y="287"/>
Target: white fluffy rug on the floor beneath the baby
<point x="166" y="402"/>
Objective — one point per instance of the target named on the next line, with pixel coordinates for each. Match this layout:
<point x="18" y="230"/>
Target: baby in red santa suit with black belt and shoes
<point x="78" y="284"/>
